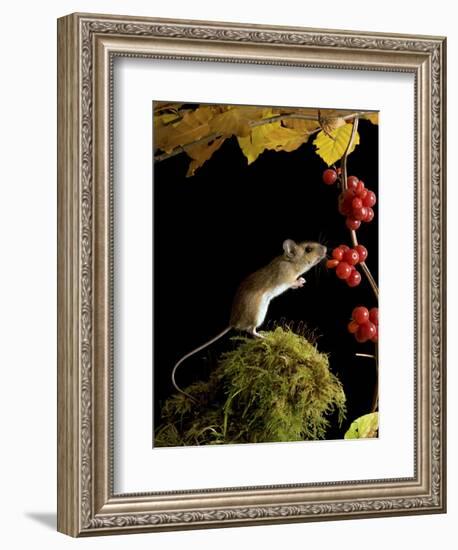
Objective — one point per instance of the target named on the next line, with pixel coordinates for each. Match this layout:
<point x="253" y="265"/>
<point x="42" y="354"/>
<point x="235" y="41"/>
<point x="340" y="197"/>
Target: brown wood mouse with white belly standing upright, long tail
<point x="253" y="296"/>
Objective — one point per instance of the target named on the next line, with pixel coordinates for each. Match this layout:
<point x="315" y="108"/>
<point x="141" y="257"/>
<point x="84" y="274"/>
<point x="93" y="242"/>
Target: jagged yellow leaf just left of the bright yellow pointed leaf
<point x="270" y="136"/>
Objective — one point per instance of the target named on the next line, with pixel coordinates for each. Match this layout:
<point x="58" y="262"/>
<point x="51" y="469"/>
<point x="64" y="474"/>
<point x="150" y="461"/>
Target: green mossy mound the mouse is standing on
<point x="278" y="388"/>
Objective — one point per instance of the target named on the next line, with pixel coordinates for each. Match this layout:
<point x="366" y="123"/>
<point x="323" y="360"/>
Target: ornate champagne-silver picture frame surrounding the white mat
<point x="87" y="45"/>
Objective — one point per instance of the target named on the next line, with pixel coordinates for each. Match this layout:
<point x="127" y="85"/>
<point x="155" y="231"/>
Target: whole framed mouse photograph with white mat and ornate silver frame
<point x="251" y="281"/>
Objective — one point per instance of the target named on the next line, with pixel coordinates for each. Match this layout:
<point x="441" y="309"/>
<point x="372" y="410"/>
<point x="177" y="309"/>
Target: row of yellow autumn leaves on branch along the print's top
<point x="199" y="131"/>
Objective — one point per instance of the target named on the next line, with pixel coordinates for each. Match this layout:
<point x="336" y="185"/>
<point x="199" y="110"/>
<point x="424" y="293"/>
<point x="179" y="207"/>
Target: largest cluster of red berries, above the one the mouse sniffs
<point x="356" y="203"/>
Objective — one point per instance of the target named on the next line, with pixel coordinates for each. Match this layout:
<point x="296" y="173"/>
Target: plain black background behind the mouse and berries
<point x="228" y="220"/>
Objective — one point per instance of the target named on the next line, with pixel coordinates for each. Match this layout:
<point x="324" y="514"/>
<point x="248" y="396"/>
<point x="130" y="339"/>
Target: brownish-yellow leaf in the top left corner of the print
<point x="193" y="126"/>
